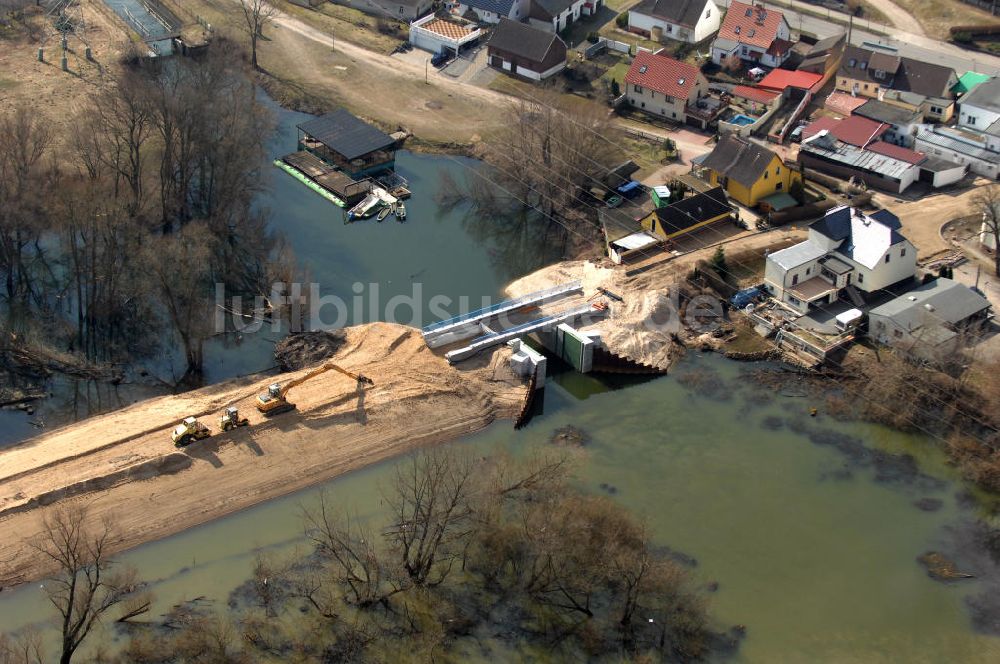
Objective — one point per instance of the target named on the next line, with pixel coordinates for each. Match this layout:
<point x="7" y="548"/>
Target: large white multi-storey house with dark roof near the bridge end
<point x="845" y="250"/>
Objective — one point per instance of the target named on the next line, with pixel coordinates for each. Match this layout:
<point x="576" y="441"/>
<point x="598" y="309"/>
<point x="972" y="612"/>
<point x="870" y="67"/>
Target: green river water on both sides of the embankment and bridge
<point x="809" y="526"/>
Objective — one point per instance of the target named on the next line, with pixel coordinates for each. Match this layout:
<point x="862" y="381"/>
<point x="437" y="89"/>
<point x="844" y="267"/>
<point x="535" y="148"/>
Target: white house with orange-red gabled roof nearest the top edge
<point x="752" y="33"/>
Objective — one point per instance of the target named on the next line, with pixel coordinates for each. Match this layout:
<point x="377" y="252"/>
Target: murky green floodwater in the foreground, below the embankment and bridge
<point x="810" y="528"/>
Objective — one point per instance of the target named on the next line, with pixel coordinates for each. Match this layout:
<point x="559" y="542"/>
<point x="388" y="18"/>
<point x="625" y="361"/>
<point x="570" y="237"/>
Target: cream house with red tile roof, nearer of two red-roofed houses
<point x="671" y="89"/>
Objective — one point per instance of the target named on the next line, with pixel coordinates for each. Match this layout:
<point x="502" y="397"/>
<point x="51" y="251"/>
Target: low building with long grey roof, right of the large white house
<point x="930" y="320"/>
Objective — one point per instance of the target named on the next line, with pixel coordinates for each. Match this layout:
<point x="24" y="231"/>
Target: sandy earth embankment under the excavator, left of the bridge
<point x="124" y="466"/>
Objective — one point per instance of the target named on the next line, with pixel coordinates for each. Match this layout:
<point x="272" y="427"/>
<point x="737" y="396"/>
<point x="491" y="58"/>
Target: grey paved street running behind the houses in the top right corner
<point x="915" y="46"/>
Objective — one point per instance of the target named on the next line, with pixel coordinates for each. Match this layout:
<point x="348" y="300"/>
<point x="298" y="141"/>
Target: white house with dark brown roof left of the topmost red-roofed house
<point x="690" y="21"/>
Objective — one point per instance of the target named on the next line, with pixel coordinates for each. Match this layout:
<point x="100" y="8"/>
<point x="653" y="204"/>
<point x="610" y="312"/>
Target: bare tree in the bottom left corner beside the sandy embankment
<point x="86" y="585"/>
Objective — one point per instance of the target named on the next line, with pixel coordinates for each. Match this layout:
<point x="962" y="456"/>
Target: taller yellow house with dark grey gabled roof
<point x="747" y="171"/>
